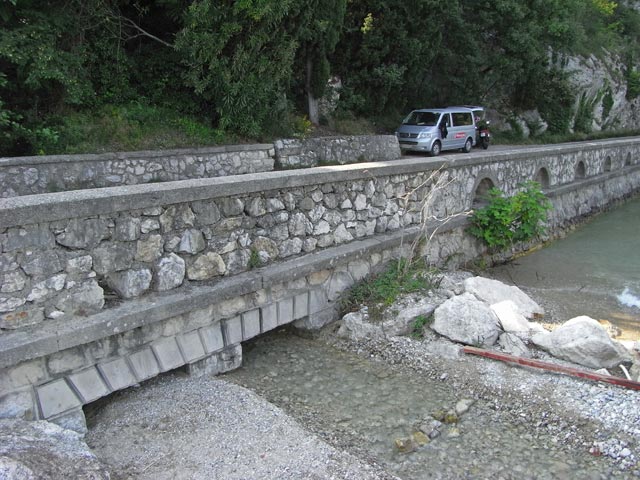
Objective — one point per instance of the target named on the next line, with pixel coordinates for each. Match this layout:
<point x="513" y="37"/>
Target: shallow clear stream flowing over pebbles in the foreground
<point x="367" y="405"/>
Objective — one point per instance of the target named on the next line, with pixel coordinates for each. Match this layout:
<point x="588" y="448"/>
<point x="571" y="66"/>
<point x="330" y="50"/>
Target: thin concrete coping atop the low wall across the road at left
<point x="149" y="154"/>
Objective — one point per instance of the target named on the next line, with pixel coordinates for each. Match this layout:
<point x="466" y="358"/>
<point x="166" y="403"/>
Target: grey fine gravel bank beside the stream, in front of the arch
<point x="177" y="427"/>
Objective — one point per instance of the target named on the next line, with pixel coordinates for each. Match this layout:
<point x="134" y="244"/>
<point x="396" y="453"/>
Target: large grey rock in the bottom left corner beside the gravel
<point x="39" y="450"/>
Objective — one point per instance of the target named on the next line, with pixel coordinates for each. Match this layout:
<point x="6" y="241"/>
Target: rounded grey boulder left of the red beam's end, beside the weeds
<point x="467" y="320"/>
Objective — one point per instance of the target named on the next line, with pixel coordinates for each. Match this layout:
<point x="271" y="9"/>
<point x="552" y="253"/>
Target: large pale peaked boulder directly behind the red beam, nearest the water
<point x="584" y="341"/>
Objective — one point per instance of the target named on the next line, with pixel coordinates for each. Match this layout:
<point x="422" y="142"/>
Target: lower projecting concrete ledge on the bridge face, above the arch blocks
<point x="55" y="335"/>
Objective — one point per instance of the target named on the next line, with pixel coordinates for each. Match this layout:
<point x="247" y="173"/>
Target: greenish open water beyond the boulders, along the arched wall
<point x="594" y="271"/>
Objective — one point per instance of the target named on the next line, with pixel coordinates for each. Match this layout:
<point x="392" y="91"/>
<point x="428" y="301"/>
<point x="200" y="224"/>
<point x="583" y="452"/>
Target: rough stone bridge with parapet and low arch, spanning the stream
<point x="104" y="288"/>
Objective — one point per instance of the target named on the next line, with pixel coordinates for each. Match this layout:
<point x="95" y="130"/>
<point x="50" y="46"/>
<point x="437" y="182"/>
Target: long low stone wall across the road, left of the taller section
<point x="57" y="173"/>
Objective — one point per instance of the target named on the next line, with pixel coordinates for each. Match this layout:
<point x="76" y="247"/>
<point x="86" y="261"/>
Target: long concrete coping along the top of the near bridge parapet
<point x="47" y="207"/>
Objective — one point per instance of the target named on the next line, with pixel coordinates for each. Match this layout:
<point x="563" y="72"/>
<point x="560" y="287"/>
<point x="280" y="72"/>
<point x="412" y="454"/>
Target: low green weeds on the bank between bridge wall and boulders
<point x="381" y="290"/>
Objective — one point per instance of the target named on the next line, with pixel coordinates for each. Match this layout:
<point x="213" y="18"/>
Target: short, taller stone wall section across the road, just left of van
<point x="311" y="152"/>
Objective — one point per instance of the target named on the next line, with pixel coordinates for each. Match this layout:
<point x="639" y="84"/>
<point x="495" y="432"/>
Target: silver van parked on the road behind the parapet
<point x="433" y="130"/>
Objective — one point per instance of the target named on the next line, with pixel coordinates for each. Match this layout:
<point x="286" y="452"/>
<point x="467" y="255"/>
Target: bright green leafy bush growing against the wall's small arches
<point x="506" y="220"/>
